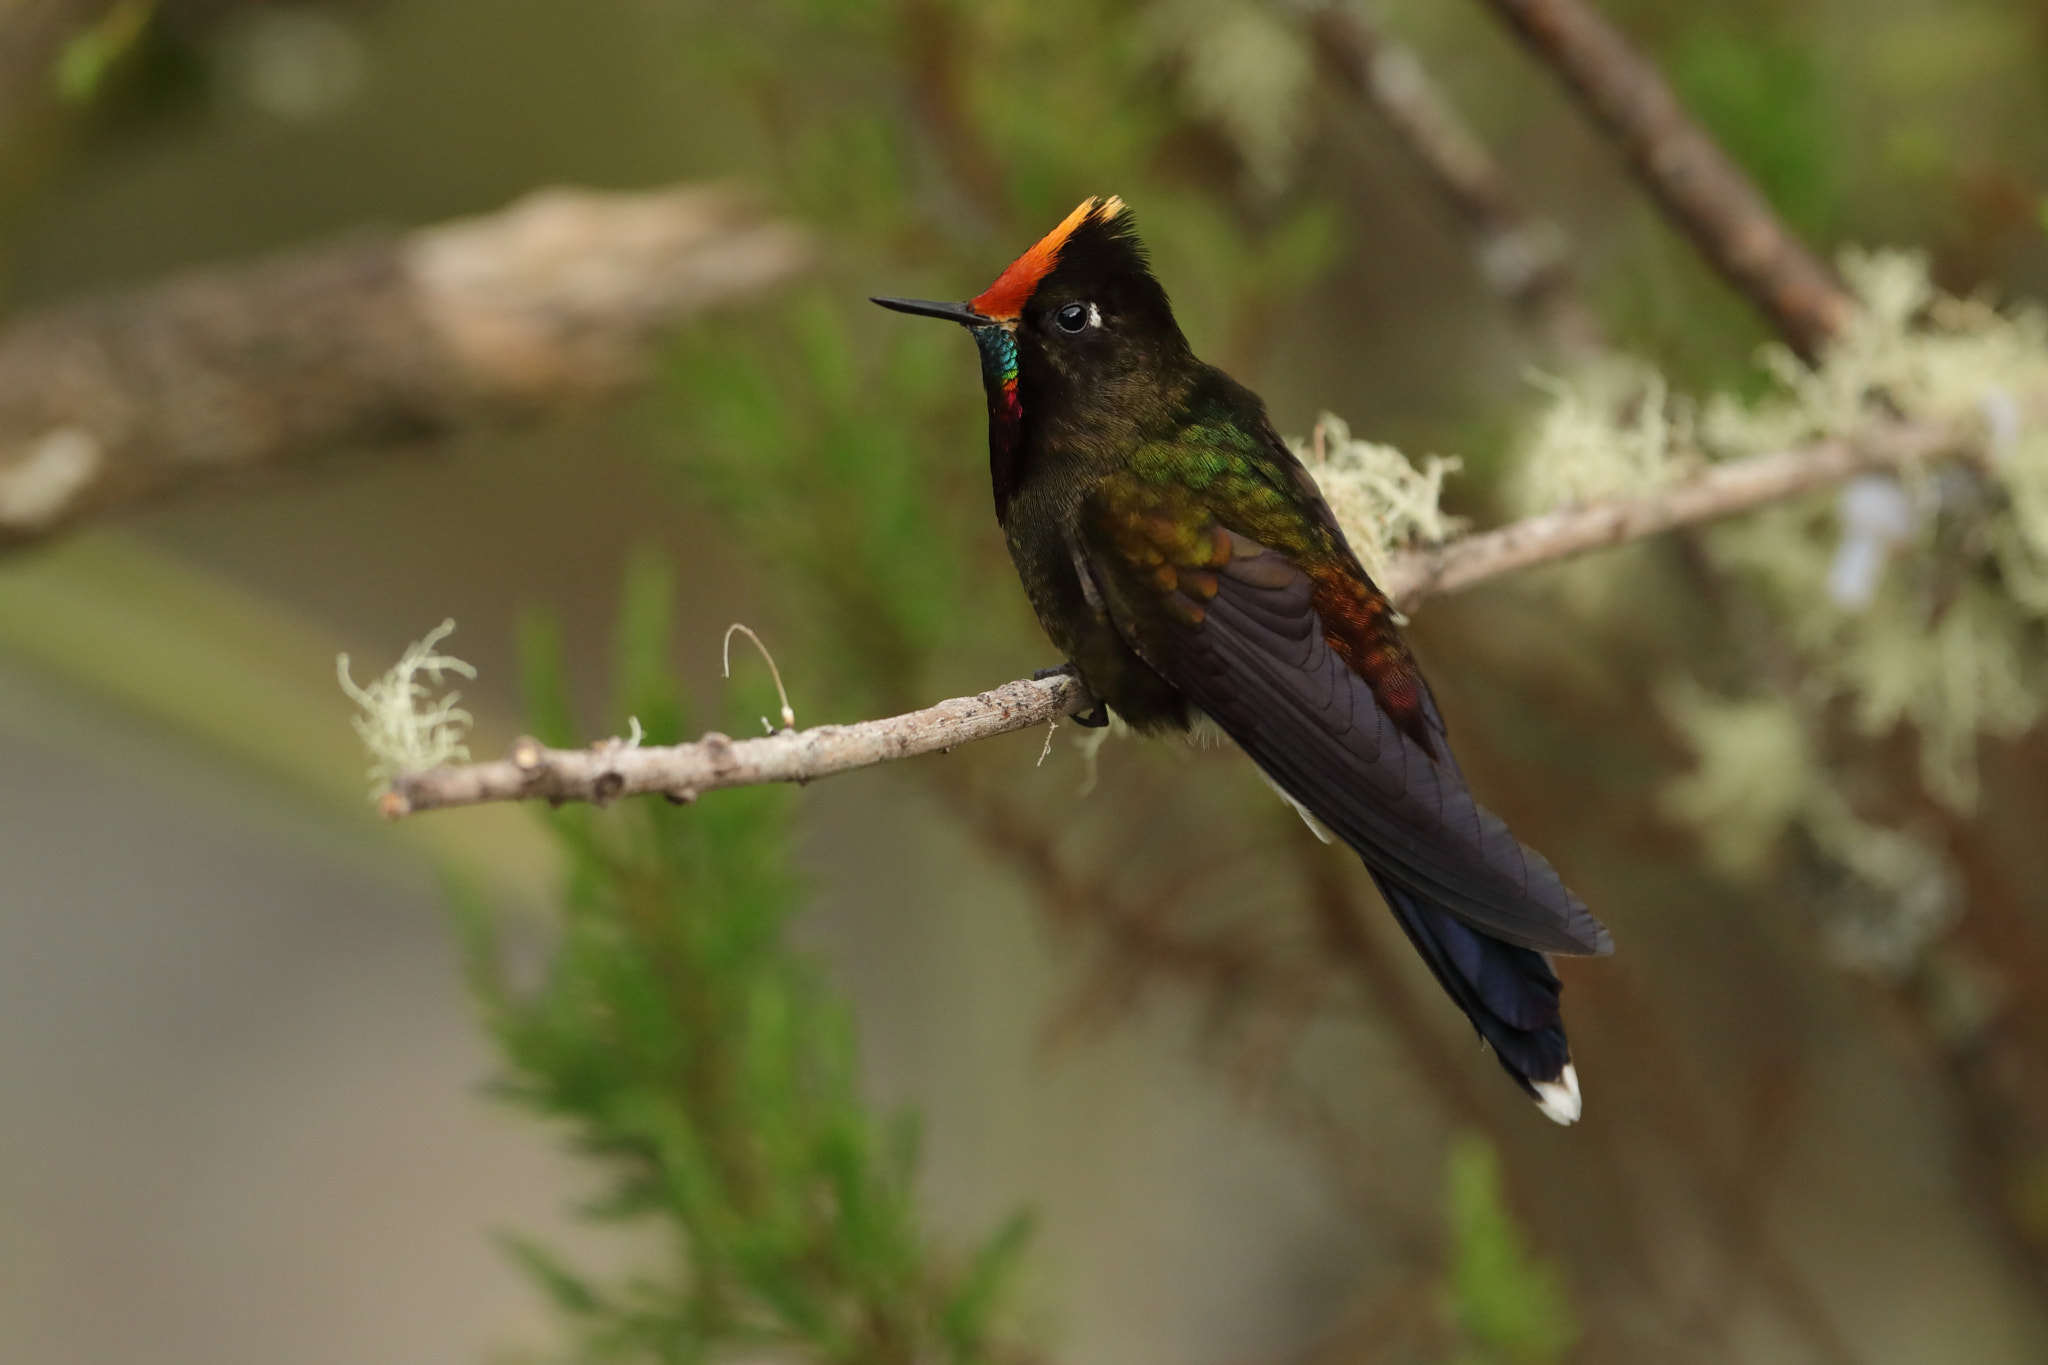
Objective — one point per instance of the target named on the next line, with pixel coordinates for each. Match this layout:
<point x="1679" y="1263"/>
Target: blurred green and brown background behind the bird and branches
<point x="243" y="1090"/>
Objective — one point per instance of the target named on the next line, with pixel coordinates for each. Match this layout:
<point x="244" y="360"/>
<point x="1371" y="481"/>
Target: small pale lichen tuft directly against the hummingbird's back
<point x="1379" y="496"/>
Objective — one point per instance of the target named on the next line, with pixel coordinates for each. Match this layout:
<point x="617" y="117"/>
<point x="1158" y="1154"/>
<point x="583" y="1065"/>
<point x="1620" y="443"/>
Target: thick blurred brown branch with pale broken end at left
<point x="368" y="343"/>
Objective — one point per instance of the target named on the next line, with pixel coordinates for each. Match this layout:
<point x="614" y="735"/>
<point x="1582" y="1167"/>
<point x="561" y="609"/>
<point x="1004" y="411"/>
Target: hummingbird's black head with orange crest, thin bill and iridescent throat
<point x="1072" y="328"/>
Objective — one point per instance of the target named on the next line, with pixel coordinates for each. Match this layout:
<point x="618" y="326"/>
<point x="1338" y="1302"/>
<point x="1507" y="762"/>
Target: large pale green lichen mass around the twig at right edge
<point x="1910" y="599"/>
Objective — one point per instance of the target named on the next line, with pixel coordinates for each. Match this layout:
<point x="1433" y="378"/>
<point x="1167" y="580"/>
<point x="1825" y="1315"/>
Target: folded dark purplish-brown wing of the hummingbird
<point x="1240" y="635"/>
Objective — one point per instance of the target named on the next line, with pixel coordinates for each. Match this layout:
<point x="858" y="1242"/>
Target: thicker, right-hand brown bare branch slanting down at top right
<point x="1687" y="171"/>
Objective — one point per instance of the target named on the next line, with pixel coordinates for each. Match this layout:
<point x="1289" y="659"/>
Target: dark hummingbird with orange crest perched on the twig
<point x="1191" y="570"/>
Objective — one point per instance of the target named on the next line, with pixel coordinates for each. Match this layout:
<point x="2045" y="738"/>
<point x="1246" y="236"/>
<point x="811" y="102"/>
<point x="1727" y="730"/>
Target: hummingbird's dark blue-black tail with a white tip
<point x="1508" y="994"/>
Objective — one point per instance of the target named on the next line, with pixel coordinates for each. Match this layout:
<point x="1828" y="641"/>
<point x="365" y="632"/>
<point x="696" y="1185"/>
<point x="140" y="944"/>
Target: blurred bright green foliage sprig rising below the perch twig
<point x="710" y="1071"/>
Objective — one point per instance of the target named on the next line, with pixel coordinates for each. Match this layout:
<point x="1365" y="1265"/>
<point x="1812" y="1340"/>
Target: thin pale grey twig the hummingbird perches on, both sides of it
<point x="683" y="773"/>
